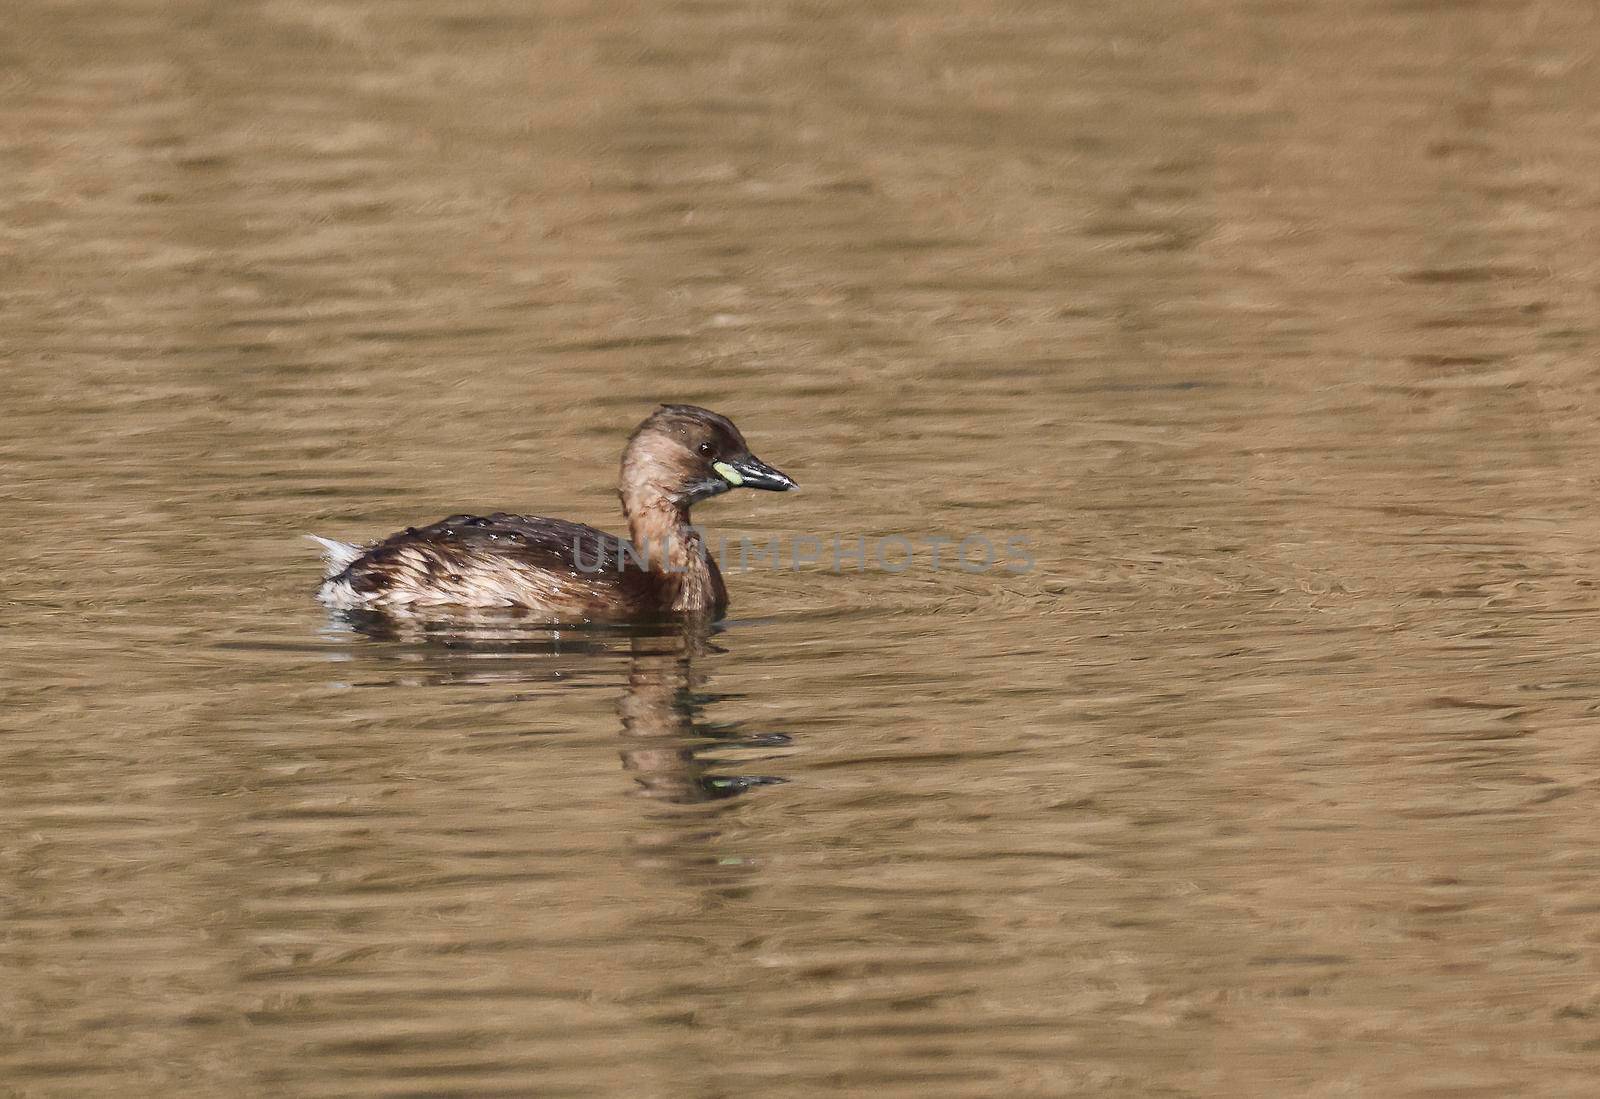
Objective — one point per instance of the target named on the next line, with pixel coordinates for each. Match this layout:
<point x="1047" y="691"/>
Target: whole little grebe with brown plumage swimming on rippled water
<point x="569" y="572"/>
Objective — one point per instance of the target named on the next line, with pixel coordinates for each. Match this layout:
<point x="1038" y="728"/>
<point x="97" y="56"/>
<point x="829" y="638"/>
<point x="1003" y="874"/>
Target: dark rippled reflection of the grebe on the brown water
<point x="670" y="748"/>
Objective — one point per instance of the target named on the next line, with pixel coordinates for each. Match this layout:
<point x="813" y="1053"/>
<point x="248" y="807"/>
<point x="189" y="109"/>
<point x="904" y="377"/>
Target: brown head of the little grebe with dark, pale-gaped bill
<point x="684" y="455"/>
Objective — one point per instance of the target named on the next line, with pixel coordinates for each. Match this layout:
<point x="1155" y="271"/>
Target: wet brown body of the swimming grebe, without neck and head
<point x="558" y="570"/>
